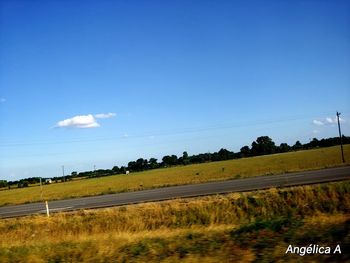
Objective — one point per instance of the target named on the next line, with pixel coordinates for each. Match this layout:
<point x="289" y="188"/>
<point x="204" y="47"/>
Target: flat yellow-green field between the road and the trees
<point x="196" y="173"/>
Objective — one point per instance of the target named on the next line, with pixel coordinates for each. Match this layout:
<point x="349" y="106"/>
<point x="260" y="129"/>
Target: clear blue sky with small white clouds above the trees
<point x="86" y="83"/>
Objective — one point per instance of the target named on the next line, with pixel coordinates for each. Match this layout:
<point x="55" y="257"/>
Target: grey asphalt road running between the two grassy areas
<point x="238" y="185"/>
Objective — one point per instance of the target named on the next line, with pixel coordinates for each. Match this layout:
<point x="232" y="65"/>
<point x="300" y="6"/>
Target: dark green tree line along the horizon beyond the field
<point x="263" y="145"/>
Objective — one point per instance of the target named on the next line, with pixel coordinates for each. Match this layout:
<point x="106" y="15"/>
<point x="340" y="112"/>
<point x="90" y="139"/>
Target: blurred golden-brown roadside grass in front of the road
<point x="245" y="227"/>
